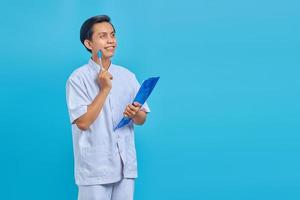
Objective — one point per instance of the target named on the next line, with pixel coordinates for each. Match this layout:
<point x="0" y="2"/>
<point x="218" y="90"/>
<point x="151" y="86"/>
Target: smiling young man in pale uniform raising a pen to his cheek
<point x="99" y="94"/>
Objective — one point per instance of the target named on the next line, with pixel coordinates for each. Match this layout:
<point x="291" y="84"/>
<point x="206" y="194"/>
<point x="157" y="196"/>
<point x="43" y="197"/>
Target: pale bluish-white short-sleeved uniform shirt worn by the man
<point x="102" y="155"/>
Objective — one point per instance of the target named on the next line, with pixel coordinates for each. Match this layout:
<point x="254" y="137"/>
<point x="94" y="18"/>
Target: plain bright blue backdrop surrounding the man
<point x="225" y="114"/>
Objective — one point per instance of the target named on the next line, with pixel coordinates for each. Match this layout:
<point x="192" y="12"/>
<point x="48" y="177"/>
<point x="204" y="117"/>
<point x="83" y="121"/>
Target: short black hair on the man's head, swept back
<point x="86" y="30"/>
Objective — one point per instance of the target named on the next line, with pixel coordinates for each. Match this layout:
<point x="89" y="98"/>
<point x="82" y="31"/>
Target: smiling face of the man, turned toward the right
<point x="103" y="39"/>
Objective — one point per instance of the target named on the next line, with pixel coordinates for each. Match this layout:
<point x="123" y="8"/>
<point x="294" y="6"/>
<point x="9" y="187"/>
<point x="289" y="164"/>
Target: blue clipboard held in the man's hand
<point x="141" y="97"/>
